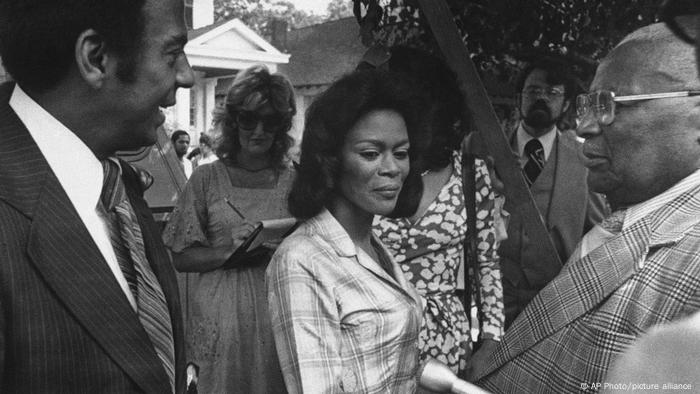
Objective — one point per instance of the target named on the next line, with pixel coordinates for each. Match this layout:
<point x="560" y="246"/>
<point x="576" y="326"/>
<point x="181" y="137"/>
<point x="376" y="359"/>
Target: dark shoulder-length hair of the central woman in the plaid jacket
<point x="328" y="121"/>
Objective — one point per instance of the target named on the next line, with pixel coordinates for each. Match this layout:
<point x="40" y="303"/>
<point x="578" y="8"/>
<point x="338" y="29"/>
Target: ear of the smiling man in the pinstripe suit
<point x="91" y="57"/>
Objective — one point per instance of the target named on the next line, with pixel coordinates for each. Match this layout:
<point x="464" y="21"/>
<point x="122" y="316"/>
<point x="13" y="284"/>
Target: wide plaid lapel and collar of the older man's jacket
<point x="598" y="274"/>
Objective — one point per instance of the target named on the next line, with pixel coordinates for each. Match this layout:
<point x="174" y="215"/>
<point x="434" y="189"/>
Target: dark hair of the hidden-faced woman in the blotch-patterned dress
<point x="445" y="123"/>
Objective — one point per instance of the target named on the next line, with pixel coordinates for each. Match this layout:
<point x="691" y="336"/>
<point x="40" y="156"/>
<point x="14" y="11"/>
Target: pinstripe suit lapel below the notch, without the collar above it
<point x="71" y="264"/>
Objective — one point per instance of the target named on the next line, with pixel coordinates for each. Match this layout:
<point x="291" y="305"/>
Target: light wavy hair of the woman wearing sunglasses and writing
<point x="253" y="88"/>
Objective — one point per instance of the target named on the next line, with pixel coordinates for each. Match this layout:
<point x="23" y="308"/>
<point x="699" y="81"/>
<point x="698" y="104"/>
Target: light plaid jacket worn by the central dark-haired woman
<point x="341" y="322"/>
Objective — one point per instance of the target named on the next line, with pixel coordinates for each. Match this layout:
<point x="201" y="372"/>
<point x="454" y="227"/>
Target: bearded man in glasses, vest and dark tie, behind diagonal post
<point x="557" y="180"/>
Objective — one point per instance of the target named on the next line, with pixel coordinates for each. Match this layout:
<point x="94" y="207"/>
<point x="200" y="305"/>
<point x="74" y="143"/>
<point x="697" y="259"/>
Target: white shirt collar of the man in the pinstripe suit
<point x="78" y="170"/>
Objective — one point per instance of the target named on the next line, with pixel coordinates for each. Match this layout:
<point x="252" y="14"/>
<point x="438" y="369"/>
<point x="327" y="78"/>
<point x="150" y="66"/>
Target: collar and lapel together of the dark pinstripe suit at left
<point x="66" y="257"/>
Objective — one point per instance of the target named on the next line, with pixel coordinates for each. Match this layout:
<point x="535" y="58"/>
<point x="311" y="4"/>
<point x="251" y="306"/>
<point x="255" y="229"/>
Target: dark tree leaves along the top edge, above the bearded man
<point x="502" y="33"/>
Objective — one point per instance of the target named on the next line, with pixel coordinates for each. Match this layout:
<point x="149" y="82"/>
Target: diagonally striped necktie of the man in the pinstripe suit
<point x="127" y="241"/>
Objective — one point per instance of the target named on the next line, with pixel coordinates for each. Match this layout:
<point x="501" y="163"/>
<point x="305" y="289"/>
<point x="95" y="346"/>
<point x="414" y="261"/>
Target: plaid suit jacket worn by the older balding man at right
<point x="568" y="336"/>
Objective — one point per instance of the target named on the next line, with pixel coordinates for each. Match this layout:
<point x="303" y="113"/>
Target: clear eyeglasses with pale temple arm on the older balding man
<point x="601" y="104"/>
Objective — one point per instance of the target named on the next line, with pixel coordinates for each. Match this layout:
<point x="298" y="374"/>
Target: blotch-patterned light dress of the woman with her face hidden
<point x="430" y="252"/>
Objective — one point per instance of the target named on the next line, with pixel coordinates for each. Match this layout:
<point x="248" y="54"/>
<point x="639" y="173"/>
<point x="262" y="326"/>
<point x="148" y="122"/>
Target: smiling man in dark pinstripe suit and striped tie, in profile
<point x="88" y="296"/>
